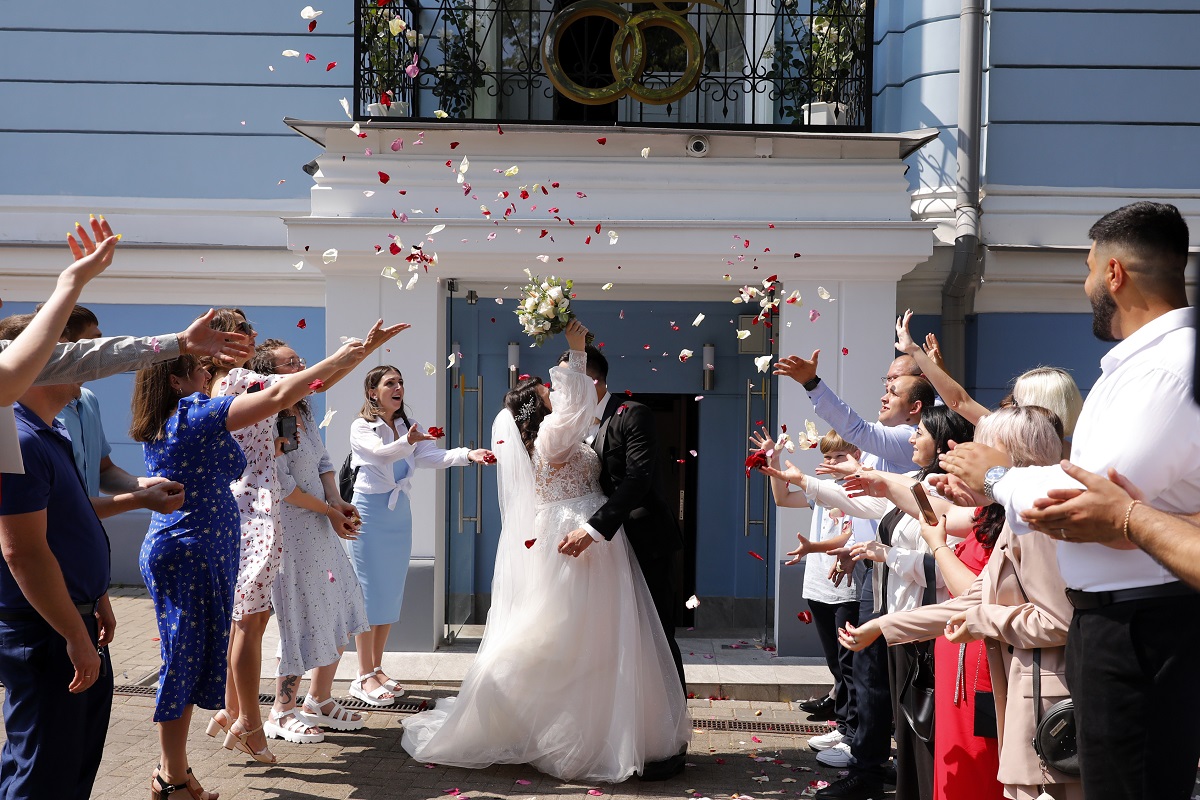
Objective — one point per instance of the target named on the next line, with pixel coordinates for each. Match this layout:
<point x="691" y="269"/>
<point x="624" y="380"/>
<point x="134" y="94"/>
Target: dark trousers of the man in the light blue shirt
<point x="872" y="743"/>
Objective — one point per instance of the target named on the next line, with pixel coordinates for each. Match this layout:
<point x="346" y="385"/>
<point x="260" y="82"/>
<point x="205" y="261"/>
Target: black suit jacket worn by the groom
<point x="628" y="452"/>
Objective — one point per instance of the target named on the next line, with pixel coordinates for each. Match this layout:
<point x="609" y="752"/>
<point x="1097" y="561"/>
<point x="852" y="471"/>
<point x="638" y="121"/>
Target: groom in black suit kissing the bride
<point x="623" y="436"/>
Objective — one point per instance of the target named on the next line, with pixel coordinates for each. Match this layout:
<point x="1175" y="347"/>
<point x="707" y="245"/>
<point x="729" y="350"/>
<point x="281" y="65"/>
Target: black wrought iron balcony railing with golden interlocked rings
<point x="763" y="64"/>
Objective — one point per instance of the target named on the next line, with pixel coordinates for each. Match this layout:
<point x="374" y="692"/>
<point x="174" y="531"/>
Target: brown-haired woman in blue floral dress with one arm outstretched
<point x="190" y="558"/>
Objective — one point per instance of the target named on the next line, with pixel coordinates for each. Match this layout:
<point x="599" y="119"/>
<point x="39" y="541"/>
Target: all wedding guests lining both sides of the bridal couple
<point x="962" y="580"/>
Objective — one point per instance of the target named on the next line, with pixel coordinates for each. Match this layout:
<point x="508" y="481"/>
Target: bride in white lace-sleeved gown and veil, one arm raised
<point x="574" y="675"/>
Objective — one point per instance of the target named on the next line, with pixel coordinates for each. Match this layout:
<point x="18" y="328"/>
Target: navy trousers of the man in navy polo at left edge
<point x="56" y="738"/>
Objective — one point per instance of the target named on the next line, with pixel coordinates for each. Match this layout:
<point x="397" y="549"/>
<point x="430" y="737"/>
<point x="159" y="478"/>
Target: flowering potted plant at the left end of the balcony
<point x="391" y="46"/>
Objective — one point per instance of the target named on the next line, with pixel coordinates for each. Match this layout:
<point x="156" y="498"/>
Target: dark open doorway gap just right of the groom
<point x="677" y="424"/>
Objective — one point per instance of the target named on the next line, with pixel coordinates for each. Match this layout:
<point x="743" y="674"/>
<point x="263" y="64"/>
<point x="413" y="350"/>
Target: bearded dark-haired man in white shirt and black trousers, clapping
<point x="1133" y="653"/>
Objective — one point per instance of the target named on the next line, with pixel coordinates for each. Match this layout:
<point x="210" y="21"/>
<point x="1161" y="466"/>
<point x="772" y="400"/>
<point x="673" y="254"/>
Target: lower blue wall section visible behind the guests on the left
<point x="149" y="321"/>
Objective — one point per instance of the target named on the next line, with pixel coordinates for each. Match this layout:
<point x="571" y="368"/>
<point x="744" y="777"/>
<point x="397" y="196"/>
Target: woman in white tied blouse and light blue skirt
<point x="386" y="448"/>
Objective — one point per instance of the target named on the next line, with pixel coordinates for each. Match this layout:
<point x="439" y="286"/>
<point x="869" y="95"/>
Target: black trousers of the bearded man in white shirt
<point x="1133" y="671"/>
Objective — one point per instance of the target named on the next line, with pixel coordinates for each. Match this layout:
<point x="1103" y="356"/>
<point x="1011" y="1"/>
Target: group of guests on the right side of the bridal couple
<point x="993" y="581"/>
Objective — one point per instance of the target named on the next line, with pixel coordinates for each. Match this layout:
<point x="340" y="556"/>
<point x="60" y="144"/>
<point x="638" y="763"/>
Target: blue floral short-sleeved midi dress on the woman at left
<point x="190" y="558"/>
